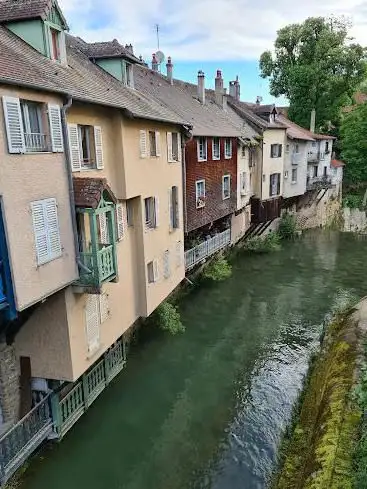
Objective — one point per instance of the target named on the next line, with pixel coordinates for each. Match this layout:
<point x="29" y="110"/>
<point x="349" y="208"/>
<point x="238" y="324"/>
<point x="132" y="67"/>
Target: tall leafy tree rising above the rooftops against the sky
<point x="315" y="65"/>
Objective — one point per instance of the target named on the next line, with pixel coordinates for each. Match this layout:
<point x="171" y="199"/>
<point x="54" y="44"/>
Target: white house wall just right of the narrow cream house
<point x="290" y="188"/>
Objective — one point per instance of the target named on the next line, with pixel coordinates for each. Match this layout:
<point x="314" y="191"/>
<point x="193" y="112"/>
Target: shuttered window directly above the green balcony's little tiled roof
<point x="86" y="147"/>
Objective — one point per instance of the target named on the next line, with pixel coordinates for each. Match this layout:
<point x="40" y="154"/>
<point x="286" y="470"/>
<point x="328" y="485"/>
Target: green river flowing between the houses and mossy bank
<point x="206" y="409"/>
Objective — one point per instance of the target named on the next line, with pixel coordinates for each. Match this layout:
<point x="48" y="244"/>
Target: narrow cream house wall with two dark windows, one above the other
<point x="272" y="165"/>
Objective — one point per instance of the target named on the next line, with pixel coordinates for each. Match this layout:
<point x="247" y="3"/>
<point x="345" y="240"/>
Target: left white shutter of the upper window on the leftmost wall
<point x="13" y="124"/>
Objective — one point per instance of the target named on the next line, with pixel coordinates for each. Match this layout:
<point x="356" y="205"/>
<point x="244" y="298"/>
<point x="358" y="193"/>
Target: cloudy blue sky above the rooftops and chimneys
<point x="206" y="34"/>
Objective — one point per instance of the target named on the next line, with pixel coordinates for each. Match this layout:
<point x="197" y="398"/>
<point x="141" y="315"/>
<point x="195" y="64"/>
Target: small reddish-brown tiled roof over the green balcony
<point x="88" y="191"/>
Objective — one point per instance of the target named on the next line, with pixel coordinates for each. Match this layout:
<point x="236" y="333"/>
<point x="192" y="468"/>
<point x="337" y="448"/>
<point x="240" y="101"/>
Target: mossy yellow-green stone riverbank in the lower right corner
<point x="327" y="447"/>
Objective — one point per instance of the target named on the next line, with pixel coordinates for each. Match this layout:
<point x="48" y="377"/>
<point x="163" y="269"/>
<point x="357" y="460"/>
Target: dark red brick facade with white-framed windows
<point x="212" y="172"/>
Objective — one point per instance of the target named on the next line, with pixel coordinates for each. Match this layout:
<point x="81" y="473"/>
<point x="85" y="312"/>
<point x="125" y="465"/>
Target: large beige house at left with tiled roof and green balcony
<point x="106" y="158"/>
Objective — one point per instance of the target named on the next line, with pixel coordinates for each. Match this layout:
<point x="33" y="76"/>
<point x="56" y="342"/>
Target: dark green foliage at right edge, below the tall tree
<point x="354" y="144"/>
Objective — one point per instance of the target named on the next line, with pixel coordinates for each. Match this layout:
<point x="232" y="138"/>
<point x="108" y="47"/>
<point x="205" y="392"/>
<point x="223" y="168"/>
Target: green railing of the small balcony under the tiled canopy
<point x="99" y="267"/>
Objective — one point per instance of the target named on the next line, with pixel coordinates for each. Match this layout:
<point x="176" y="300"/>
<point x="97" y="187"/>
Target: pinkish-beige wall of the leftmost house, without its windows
<point x="25" y="178"/>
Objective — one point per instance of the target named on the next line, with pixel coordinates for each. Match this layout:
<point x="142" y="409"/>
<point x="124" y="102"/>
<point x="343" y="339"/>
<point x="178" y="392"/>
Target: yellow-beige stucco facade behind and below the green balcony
<point x="65" y="353"/>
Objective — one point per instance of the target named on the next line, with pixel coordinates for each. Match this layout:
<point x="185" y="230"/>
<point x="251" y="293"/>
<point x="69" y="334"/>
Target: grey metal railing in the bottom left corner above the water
<point x="17" y="444"/>
